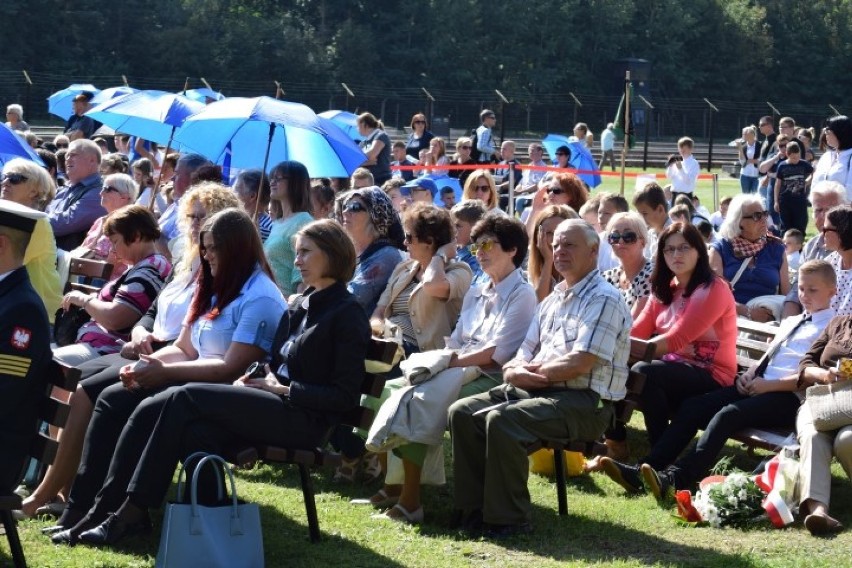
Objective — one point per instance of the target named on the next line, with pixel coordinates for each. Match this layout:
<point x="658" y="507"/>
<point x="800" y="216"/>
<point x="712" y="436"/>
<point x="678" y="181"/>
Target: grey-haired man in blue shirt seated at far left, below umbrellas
<point x="78" y="204"/>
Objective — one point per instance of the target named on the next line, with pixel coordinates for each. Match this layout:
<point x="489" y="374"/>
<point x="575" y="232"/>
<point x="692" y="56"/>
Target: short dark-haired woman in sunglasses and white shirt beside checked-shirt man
<point x="492" y="324"/>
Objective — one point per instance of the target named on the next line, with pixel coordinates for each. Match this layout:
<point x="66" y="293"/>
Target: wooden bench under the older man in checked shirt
<point x="640" y="351"/>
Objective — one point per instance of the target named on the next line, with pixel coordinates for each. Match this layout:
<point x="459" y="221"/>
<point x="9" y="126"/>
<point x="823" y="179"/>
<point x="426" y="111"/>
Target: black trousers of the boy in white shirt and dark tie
<point x="720" y="413"/>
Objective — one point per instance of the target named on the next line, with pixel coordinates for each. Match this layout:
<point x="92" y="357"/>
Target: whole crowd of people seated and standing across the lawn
<point x="533" y="315"/>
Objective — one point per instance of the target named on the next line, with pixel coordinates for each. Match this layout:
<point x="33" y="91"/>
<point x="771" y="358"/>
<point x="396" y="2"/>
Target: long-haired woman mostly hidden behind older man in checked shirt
<point x="542" y="274"/>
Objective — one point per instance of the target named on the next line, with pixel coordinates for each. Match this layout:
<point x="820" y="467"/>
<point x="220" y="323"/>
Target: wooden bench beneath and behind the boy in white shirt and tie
<point x="753" y="340"/>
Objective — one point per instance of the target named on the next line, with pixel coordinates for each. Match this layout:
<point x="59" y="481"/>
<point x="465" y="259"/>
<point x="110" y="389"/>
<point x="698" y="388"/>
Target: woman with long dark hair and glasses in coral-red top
<point x="691" y="319"/>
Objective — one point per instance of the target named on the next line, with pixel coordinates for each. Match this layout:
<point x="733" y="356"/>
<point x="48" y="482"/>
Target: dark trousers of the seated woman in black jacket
<point x="214" y="418"/>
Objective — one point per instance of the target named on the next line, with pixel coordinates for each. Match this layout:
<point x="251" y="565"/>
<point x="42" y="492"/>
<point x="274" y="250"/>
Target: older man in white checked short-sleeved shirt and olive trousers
<point x="562" y="384"/>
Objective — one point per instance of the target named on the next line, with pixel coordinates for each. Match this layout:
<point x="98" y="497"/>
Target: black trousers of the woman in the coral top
<point x="667" y="385"/>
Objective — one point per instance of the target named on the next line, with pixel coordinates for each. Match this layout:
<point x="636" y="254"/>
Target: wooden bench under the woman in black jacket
<point x="360" y="417"/>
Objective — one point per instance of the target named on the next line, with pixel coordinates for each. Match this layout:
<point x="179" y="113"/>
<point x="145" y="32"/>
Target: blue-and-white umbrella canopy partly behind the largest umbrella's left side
<point x="151" y="115"/>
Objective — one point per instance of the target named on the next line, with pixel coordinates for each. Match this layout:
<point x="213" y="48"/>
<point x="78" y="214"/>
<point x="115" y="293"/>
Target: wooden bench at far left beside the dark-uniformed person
<point x="43" y="448"/>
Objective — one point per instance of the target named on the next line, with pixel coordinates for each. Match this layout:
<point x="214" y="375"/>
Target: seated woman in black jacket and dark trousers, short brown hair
<point x="315" y="378"/>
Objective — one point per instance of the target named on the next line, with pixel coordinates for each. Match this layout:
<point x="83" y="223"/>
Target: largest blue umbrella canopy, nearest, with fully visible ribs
<point x="242" y="133"/>
